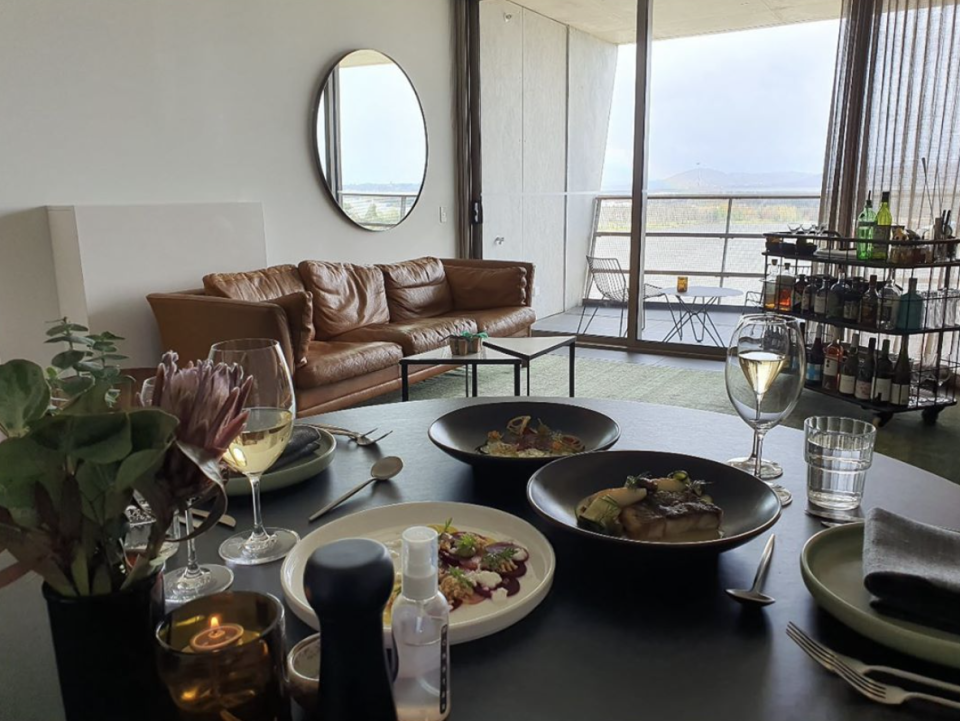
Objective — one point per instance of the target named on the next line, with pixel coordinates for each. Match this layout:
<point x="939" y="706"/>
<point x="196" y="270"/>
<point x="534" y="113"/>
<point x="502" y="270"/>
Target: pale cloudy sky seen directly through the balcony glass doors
<point x="750" y="101"/>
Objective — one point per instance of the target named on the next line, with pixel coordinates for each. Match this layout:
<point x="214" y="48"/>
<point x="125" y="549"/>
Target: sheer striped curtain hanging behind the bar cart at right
<point x="896" y="101"/>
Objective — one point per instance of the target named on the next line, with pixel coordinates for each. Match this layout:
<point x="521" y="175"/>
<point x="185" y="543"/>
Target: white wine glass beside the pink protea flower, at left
<point x="272" y="407"/>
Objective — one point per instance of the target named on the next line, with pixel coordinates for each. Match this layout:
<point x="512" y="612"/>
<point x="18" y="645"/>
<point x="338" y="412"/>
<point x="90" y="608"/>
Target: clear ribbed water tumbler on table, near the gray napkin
<point x="838" y="451"/>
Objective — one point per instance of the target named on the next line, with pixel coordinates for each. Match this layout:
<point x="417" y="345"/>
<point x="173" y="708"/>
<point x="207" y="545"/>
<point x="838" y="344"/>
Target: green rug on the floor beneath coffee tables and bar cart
<point x="906" y="437"/>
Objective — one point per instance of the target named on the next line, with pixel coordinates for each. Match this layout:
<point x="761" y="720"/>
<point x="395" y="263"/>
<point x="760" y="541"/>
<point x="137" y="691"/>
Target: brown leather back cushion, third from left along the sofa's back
<point x="416" y="289"/>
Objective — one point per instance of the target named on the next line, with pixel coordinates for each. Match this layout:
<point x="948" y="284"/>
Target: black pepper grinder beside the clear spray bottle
<point x="348" y="583"/>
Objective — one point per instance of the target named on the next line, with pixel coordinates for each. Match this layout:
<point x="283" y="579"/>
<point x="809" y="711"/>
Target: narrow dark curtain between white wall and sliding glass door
<point x="467" y="123"/>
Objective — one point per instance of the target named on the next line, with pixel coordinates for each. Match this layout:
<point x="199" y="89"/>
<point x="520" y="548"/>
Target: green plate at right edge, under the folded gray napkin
<point x="832" y="567"/>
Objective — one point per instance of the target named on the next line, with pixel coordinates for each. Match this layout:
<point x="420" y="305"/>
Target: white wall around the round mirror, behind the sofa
<point x="185" y="101"/>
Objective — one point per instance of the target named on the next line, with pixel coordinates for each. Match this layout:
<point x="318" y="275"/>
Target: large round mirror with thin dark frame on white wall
<point x="371" y="139"/>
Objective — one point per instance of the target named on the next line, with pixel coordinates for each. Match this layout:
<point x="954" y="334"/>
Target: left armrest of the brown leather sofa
<point x="191" y="322"/>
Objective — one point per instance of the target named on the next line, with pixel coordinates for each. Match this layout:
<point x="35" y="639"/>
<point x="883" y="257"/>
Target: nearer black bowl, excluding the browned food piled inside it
<point x="749" y="505"/>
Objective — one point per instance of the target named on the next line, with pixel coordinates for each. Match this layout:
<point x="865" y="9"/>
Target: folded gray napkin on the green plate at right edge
<point x="912" y="569"/>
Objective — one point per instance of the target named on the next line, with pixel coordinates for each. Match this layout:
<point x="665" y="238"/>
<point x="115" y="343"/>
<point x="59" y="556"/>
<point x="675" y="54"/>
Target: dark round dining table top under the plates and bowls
<point x="617" y="637"/>
